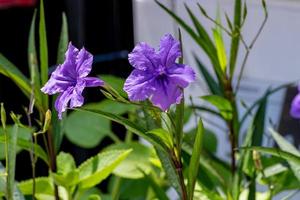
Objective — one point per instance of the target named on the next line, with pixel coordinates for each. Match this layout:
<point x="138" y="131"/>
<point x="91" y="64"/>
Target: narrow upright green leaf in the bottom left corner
<point x="12" y="144"/>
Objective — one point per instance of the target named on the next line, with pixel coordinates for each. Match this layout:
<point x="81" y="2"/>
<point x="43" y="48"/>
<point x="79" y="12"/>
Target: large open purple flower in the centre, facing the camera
<point x="156" y="75"/>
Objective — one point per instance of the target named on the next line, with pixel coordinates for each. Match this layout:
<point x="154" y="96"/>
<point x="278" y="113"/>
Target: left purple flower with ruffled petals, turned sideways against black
<point x="70" y="78"/>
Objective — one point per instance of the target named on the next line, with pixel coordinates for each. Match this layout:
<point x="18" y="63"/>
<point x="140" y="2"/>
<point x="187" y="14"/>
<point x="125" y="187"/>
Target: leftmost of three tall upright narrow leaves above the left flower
<point x="33" y="62"/>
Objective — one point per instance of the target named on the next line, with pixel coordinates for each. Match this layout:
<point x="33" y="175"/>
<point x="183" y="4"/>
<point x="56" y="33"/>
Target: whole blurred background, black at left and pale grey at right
<point x="110" y="28"/>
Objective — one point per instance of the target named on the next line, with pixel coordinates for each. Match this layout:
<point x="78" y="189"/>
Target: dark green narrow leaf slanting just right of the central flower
<point x="210" y="81"/>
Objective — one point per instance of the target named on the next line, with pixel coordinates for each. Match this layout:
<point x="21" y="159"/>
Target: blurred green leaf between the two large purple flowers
<point x="115" y="82"/>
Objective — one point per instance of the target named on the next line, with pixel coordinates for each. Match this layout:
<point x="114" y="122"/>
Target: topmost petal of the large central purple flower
<point x="169" y="50"/>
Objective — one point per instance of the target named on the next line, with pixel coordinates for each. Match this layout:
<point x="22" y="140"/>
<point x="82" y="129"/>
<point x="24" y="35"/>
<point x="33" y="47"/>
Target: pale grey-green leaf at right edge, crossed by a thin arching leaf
<point x="286" y="146"/>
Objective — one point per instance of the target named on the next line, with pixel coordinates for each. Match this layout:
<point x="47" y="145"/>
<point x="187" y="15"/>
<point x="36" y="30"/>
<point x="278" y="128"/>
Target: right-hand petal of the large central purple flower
<point x="181" y="75"/>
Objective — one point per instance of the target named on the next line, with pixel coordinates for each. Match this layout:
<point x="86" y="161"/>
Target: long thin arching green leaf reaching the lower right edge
<point x="276" y="152"/>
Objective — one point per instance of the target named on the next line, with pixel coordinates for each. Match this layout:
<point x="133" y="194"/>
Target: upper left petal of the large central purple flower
<point x="143" y="57"/>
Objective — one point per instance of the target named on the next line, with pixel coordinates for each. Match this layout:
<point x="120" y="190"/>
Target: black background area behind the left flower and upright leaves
<point x="101" y="26"/>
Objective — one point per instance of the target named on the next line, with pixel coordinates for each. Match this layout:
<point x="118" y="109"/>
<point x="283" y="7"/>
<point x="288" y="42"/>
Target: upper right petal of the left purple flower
<point x="84" y="63"/>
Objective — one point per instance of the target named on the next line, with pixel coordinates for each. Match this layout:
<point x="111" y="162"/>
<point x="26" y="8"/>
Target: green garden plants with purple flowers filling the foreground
<point x="166" y="161"/>
